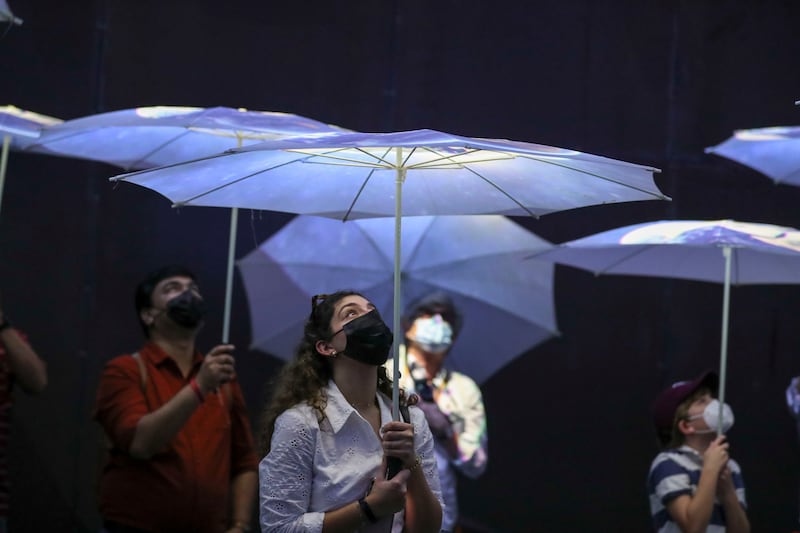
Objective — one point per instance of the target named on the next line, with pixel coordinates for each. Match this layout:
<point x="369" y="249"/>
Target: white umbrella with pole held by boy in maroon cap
<point x="718" y="251"/>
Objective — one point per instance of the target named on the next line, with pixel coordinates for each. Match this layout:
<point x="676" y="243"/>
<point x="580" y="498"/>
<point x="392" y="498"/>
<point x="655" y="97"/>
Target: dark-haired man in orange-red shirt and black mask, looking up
<point x="182" y="455"/>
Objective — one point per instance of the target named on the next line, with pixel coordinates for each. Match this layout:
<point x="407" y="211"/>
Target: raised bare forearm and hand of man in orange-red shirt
<point x="157" y="429"/>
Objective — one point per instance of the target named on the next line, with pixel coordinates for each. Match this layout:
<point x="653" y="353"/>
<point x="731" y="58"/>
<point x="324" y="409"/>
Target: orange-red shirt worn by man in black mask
<point x="186" y="486"/>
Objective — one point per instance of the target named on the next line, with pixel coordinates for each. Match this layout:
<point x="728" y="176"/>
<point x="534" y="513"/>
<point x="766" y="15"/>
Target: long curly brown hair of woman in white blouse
<point x="304" y="378"/>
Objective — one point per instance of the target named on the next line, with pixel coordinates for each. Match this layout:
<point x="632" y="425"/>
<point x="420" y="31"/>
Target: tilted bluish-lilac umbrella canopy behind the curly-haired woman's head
<point x="478" y="260"/>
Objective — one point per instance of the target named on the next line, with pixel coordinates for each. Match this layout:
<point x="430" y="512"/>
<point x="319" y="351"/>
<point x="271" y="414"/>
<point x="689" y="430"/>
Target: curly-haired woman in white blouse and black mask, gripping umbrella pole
<point x="328" y="434"/>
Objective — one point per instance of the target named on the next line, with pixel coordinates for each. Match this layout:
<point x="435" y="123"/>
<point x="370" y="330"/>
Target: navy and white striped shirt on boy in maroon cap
<point x="676" y="472"/>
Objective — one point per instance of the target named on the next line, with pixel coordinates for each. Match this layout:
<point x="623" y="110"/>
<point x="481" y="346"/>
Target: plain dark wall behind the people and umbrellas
<point x="652" y="82"/>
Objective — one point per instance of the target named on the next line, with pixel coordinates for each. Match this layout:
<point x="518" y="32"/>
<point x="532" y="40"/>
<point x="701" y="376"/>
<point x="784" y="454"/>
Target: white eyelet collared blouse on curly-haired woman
<point x="316" y="467"/>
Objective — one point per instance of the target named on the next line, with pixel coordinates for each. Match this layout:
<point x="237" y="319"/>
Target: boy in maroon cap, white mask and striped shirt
<point x="693" y="484"/>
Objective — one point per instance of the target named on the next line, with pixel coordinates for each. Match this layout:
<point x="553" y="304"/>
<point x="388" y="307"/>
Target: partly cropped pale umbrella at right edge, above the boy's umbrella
<point x="774" y="152"/>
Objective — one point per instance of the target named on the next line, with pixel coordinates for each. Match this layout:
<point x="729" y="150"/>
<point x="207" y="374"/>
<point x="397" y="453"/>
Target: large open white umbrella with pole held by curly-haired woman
<point x="419" y="172"/>
